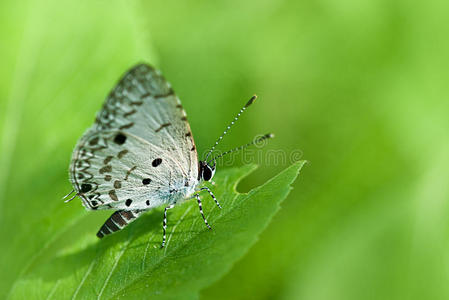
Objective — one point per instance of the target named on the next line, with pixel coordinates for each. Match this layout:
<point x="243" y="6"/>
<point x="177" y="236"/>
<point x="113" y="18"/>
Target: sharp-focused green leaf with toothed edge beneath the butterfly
<point x="130" y="263"/>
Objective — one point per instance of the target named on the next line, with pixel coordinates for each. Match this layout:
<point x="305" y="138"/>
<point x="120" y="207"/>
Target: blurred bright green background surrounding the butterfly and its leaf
<point x="359" y="87"/>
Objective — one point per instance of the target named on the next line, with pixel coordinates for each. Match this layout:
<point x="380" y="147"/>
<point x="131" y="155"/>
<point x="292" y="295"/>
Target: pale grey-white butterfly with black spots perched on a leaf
<point x="140" y="153"/>
